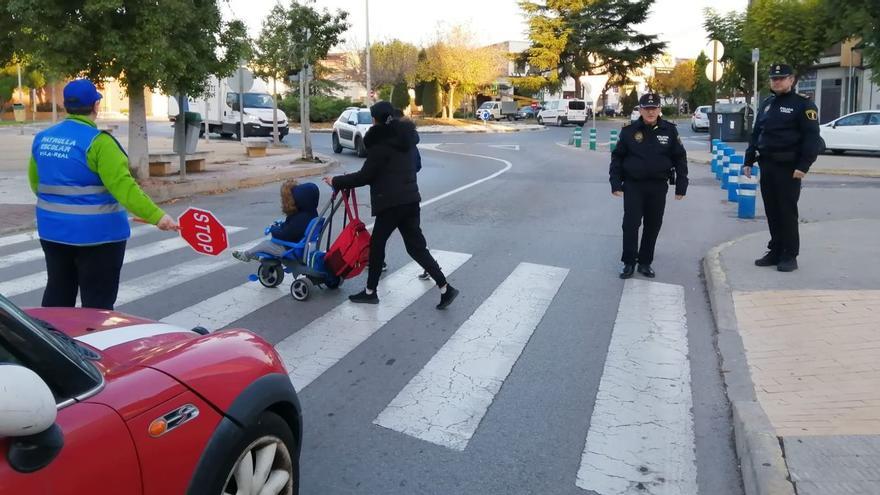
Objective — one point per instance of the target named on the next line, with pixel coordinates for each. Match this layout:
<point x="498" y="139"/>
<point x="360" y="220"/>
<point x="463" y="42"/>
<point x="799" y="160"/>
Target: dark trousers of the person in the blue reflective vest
<point x="91" y="270"/>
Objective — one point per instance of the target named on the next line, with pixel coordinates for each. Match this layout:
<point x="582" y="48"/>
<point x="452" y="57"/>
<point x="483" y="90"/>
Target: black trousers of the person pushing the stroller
<point x="406" y="219"/>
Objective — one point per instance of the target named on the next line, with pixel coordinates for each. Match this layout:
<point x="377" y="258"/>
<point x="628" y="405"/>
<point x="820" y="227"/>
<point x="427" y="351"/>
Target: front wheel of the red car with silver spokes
<point x="263" y="461"/>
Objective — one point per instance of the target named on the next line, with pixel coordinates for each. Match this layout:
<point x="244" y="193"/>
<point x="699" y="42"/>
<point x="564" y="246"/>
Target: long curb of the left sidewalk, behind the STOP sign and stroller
<point x="163" y="192"/>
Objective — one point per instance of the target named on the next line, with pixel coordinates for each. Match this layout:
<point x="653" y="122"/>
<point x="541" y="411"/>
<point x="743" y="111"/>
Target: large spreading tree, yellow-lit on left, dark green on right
<point x="571" y="38"/>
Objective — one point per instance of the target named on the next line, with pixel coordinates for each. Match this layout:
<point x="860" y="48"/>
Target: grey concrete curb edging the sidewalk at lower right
<point x="762" y="464"/>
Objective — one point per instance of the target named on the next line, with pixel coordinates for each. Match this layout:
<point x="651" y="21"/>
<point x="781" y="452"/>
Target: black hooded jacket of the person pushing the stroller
<point x="389" y="169"/>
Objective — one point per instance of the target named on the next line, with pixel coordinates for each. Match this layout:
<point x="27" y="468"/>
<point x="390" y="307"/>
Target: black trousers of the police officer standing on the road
<point x="642" y="200"/>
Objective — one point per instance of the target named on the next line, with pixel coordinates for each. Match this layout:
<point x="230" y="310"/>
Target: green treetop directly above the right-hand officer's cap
<point x="787" y="31"/>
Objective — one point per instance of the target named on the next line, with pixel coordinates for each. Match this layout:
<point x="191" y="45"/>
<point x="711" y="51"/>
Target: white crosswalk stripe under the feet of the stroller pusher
<point x="325" y="341"/>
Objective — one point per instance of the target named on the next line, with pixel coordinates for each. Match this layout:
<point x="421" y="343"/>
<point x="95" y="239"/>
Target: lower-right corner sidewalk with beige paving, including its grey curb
<point x="801" y="359"/>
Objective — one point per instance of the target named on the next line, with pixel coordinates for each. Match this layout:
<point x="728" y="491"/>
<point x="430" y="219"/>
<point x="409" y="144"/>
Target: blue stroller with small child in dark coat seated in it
<point x="292" y="246"/>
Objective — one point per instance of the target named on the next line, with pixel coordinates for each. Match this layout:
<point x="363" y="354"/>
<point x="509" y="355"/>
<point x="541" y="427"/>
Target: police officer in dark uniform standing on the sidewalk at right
<point x="785" y="141"/>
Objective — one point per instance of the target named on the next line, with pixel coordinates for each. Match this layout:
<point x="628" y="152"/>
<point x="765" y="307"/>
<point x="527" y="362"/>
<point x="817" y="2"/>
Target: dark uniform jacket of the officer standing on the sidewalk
<point x="786" y="132"/>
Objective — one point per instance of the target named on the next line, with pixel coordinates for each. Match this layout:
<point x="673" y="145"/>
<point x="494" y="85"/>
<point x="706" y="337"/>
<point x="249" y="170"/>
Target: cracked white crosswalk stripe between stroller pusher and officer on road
<point x="446" y="401"/>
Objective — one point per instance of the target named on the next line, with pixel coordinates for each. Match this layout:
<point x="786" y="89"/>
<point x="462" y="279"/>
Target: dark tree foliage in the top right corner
<point x="860" y="22"/>
